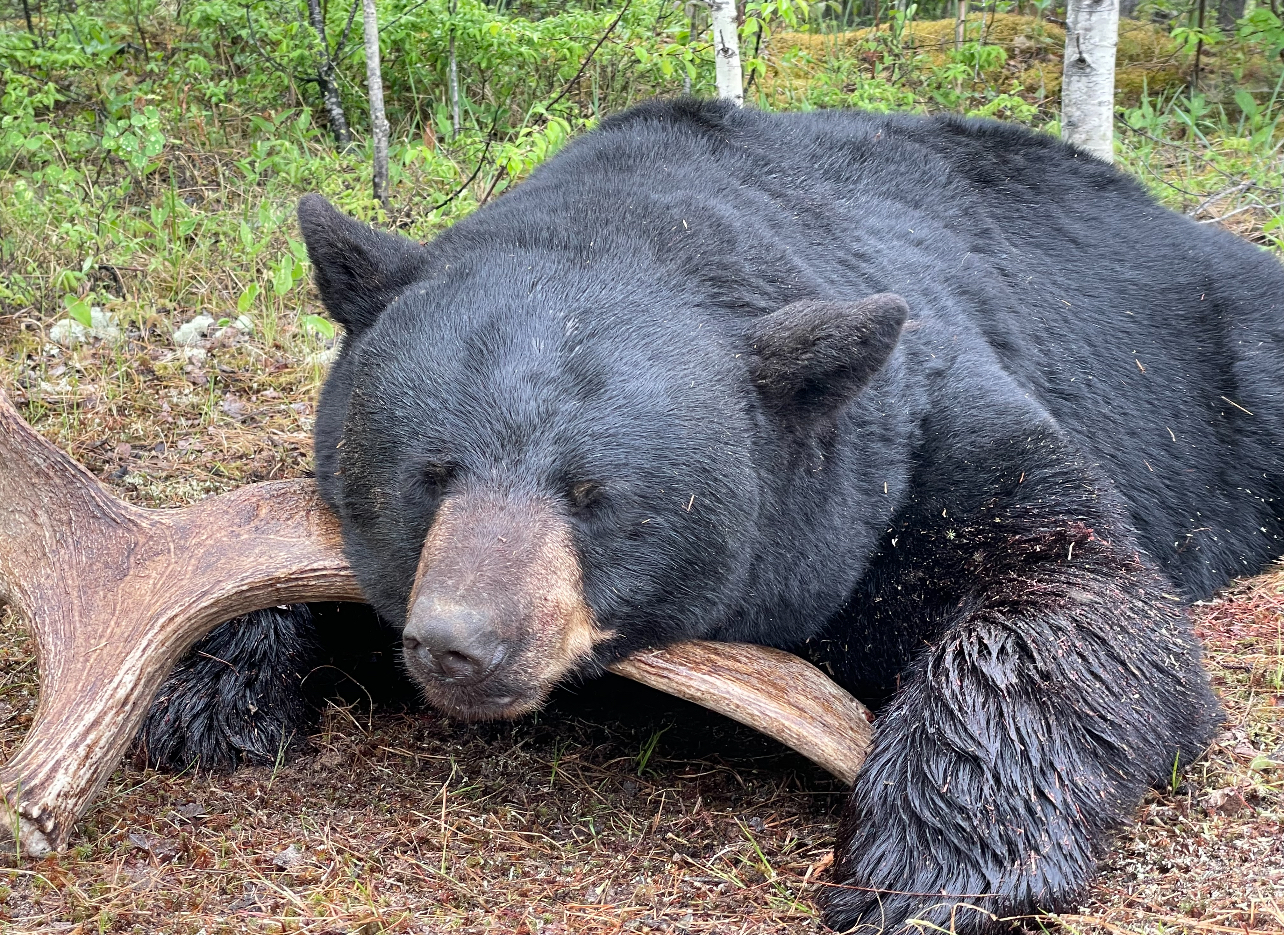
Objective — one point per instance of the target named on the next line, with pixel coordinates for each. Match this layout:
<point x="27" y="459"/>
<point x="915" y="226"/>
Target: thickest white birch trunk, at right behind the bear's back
<point x="1088" y="80"/>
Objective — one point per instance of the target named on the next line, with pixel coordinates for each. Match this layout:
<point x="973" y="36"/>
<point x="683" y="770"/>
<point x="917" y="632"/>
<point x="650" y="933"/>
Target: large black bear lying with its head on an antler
<point x="946" y="405"/>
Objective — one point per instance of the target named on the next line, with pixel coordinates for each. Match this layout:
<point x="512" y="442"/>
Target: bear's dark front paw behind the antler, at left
<point x="237" y="699"/>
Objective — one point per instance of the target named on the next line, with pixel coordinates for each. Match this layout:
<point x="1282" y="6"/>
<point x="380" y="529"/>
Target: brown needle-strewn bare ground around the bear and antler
<point x="616" y="810"/>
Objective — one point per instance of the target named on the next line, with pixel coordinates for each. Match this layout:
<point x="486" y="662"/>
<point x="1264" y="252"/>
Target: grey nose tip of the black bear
<point x="454" y="643"/>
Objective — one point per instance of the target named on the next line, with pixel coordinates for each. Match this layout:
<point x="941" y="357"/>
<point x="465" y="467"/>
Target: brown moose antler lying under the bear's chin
<point x="116" y="595"/>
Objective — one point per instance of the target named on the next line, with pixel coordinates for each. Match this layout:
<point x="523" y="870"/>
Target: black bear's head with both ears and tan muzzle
<point x="542" y="464"/>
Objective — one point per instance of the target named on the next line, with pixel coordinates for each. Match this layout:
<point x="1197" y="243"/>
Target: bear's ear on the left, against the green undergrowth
<point x="358" y="270"/>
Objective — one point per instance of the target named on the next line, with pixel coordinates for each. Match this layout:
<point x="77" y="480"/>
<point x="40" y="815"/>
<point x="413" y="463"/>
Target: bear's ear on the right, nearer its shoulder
<point x="813" y="356"/>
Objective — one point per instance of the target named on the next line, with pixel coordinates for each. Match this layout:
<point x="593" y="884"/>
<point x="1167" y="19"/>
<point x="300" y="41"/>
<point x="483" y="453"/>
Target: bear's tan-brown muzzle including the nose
<point x="498" y="615"/>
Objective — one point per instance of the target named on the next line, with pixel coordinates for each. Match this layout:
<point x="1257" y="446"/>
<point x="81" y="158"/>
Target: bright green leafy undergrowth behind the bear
<point x="153" y="153"/>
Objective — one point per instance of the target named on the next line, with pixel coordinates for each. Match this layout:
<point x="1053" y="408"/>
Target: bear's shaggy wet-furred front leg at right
<point x="1020" y="738"/>
